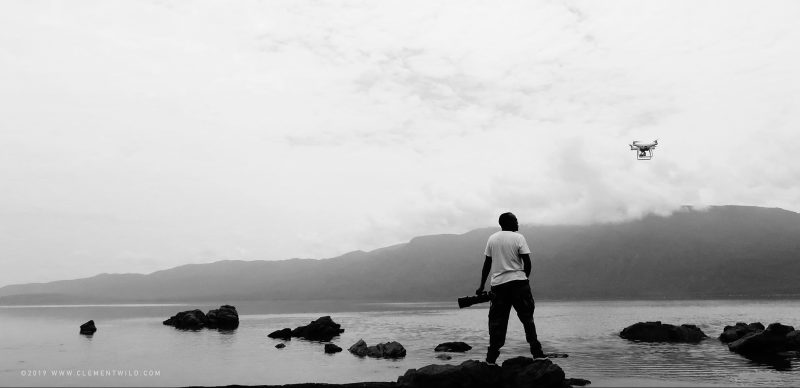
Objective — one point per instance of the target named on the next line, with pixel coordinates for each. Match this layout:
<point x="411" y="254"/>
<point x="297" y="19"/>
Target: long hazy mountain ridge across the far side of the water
<point x="728" y="251"/>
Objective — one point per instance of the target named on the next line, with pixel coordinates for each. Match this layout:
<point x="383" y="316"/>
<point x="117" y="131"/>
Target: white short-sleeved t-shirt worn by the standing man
<point x="504" y="247"/>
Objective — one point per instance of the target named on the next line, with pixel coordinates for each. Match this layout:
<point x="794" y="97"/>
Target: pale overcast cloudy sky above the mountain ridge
<point x="136" y="136"/>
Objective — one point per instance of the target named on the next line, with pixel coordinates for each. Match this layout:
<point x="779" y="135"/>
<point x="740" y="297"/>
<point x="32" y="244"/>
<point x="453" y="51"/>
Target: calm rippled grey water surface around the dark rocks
<point x="132" y="342"/>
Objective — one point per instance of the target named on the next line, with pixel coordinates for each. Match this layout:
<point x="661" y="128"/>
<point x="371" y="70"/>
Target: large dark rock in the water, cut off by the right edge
<point x="776" y="338"/>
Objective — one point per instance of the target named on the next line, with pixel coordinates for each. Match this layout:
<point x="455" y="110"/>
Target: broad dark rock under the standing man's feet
<point x="515" y="372"/>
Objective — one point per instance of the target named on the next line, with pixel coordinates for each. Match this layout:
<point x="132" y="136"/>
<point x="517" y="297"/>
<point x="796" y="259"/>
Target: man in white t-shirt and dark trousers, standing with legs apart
<point x="509" y="263"/>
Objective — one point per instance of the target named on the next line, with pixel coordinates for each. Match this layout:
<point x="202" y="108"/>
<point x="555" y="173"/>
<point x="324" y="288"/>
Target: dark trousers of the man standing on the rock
<point x="517" y="294"/>
